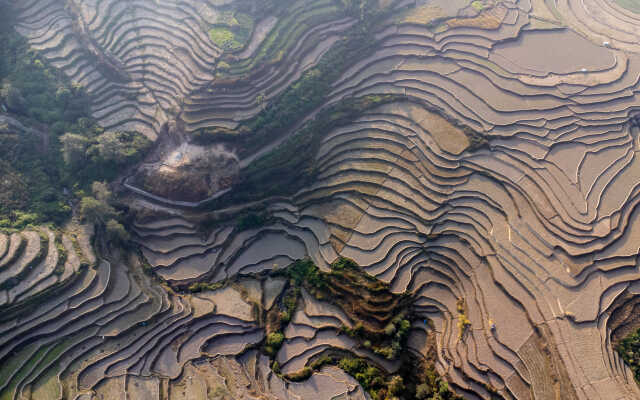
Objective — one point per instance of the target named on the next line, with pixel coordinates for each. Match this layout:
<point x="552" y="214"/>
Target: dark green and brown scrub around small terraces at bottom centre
<point x="416" y="378"/>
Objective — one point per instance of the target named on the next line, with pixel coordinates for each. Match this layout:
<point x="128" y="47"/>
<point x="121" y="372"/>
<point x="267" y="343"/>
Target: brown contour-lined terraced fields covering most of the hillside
<point x="497" y="189"/>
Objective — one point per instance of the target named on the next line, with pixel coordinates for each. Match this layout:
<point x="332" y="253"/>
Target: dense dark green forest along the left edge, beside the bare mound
<point x="51" y="149"/>
